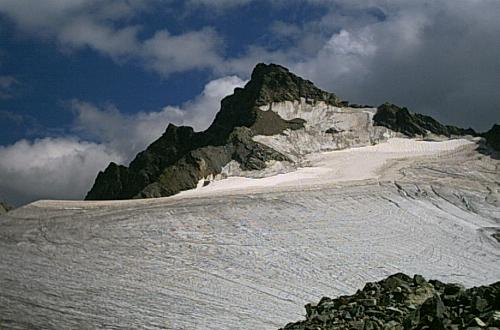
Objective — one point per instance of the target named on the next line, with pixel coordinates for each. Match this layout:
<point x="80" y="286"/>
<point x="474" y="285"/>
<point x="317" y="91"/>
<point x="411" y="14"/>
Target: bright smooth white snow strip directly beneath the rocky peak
<point x="351" y="164"/>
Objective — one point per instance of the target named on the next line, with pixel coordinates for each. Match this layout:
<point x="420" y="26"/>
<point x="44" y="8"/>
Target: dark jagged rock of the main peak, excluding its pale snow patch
<point x="181" y="157"/>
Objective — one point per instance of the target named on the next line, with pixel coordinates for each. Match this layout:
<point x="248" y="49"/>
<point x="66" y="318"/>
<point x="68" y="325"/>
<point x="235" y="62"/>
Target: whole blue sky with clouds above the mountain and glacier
<point x="87" y="82"/>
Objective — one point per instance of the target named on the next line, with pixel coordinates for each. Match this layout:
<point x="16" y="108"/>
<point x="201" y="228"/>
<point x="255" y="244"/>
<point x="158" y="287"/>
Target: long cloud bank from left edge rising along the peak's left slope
<point x="65" y="167"/>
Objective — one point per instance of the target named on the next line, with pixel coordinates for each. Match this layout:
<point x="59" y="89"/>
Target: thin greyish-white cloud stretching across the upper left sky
<point x="104" y="26"/>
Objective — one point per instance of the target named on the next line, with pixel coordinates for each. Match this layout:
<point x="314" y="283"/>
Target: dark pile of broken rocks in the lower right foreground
<point x="402" y="302"/>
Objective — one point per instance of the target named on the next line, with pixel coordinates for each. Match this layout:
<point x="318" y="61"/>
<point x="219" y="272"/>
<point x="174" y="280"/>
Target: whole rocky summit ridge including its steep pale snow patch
<point x="255" y="128"/>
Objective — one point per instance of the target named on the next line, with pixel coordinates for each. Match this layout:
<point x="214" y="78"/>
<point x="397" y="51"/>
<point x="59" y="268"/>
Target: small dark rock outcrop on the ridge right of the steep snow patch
<point x="413" y="124"/>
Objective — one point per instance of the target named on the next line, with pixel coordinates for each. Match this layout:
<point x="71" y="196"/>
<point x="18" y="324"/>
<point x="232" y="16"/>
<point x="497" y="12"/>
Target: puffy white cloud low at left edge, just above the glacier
<point x="50" y="168"/>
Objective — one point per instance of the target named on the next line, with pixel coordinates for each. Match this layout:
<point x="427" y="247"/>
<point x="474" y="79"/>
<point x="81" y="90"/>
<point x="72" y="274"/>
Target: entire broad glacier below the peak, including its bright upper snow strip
<point x="246" y="253"/>
